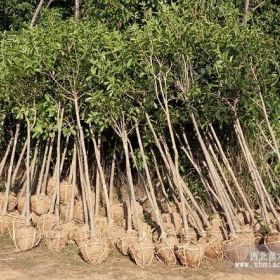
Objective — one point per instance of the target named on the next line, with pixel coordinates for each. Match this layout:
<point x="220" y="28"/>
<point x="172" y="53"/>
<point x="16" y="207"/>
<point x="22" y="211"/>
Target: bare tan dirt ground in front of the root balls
<point x="40" y="263"/>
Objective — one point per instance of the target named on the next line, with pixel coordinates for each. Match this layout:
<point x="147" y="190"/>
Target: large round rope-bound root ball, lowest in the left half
<point x="94" y="250"/>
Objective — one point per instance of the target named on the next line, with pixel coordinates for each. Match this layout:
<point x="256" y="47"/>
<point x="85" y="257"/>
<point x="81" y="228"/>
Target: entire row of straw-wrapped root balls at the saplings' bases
<point x="127" y="231"/>
